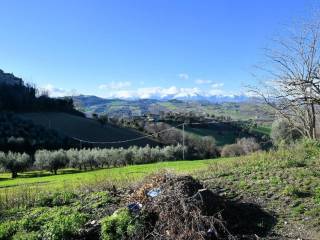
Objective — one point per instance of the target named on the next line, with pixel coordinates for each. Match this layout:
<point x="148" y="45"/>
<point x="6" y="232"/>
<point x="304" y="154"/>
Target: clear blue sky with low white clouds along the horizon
<point x="141" y="48"/>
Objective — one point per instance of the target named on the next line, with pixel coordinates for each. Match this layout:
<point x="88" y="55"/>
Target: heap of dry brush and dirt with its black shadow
<point x="179" y="207"/>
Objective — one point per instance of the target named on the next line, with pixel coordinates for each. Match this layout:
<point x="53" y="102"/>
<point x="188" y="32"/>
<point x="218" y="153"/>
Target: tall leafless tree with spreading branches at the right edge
<point x="294" y="88"/>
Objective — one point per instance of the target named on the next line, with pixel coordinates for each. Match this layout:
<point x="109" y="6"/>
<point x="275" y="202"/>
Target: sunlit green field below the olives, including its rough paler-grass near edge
<point x="25" y="189"/>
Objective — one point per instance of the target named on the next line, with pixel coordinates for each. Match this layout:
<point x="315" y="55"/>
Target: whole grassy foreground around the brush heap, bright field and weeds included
<point x="284" y="182"/>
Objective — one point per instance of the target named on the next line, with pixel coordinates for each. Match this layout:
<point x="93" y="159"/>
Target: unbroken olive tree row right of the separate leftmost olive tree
<point x="98" y="158"/>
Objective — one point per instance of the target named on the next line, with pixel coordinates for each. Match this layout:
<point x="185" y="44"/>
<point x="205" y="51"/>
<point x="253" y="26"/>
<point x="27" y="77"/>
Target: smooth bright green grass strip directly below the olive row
<point x="71" y="178"/>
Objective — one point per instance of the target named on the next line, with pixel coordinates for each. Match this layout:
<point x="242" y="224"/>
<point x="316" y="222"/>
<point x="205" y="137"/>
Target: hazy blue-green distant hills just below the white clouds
<point x="237" y="107"/>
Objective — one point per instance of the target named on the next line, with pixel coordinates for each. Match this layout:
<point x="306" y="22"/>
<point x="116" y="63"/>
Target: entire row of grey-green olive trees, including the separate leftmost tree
<point x="84" y="159"/>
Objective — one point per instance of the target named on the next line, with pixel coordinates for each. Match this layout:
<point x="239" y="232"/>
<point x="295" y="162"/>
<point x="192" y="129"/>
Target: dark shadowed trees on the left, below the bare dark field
<point x="20" y="135"/>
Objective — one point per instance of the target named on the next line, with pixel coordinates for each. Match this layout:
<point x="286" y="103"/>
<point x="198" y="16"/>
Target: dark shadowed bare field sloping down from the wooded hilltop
<point x="85" y="128"/>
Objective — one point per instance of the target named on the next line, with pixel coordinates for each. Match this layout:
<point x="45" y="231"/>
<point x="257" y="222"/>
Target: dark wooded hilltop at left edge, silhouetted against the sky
<point x="17" y="96"/>
